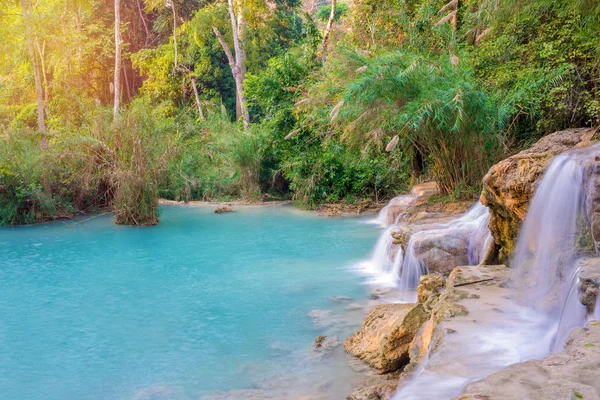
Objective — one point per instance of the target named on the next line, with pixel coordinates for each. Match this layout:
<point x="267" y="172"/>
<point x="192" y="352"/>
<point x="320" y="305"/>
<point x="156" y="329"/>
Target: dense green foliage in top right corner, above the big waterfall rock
<point x="542" y="54"/>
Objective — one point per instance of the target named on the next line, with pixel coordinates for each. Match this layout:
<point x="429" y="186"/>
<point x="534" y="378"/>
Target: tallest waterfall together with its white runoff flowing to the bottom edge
<point x="556" y="232"/>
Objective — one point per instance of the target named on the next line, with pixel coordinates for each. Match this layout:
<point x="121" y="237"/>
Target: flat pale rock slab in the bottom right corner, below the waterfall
<point x="573" y="374"/>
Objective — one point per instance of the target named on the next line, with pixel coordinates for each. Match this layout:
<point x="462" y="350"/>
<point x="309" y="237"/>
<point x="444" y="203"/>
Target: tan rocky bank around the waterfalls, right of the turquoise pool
<point x="467" y="331"/>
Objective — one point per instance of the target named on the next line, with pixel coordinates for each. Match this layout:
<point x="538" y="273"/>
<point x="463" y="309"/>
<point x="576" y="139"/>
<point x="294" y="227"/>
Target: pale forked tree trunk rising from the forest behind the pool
<point x="237" y="62"/>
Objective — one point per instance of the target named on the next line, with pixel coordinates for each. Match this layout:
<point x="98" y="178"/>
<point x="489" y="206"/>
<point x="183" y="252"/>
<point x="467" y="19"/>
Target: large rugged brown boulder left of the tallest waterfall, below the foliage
<point x="508" y="187"/>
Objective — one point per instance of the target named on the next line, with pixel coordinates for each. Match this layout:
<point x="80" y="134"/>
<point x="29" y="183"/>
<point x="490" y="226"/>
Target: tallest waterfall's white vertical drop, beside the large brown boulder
<point x="545" y="272"/>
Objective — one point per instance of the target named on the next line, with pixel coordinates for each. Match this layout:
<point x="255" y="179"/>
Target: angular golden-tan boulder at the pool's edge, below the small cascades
<point x="383" y="341"/>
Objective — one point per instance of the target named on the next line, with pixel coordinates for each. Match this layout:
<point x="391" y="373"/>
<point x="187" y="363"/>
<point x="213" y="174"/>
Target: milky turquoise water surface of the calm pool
<point x="200" y="303"/>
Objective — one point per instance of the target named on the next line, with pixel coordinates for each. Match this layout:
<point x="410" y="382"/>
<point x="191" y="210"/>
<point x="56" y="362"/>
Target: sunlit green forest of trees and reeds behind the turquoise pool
<point x="113" y="104"/>
